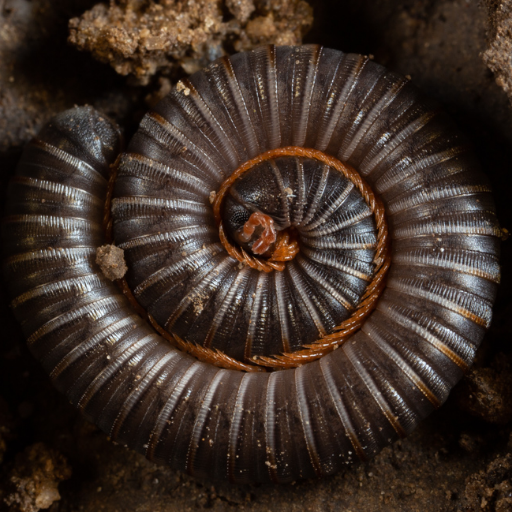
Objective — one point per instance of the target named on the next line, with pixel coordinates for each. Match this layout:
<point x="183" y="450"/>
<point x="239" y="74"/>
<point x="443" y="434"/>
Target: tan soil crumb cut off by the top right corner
<point x="497" y="56"/>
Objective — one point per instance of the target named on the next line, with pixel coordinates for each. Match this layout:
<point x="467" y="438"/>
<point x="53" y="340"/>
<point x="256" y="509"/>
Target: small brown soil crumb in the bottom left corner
<point x="35" y="478"/>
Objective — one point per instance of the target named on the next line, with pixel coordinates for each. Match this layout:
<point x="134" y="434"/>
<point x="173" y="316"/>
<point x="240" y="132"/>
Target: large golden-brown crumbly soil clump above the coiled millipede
<point x="143" y="37"/>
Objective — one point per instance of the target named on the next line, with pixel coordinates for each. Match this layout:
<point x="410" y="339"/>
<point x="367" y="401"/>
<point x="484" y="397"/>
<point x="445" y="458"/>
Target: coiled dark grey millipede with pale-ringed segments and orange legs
<point x="324" y="169"/>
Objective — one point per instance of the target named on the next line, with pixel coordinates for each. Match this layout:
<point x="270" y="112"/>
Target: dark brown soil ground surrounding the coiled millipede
<point x="460" y="459"/>
